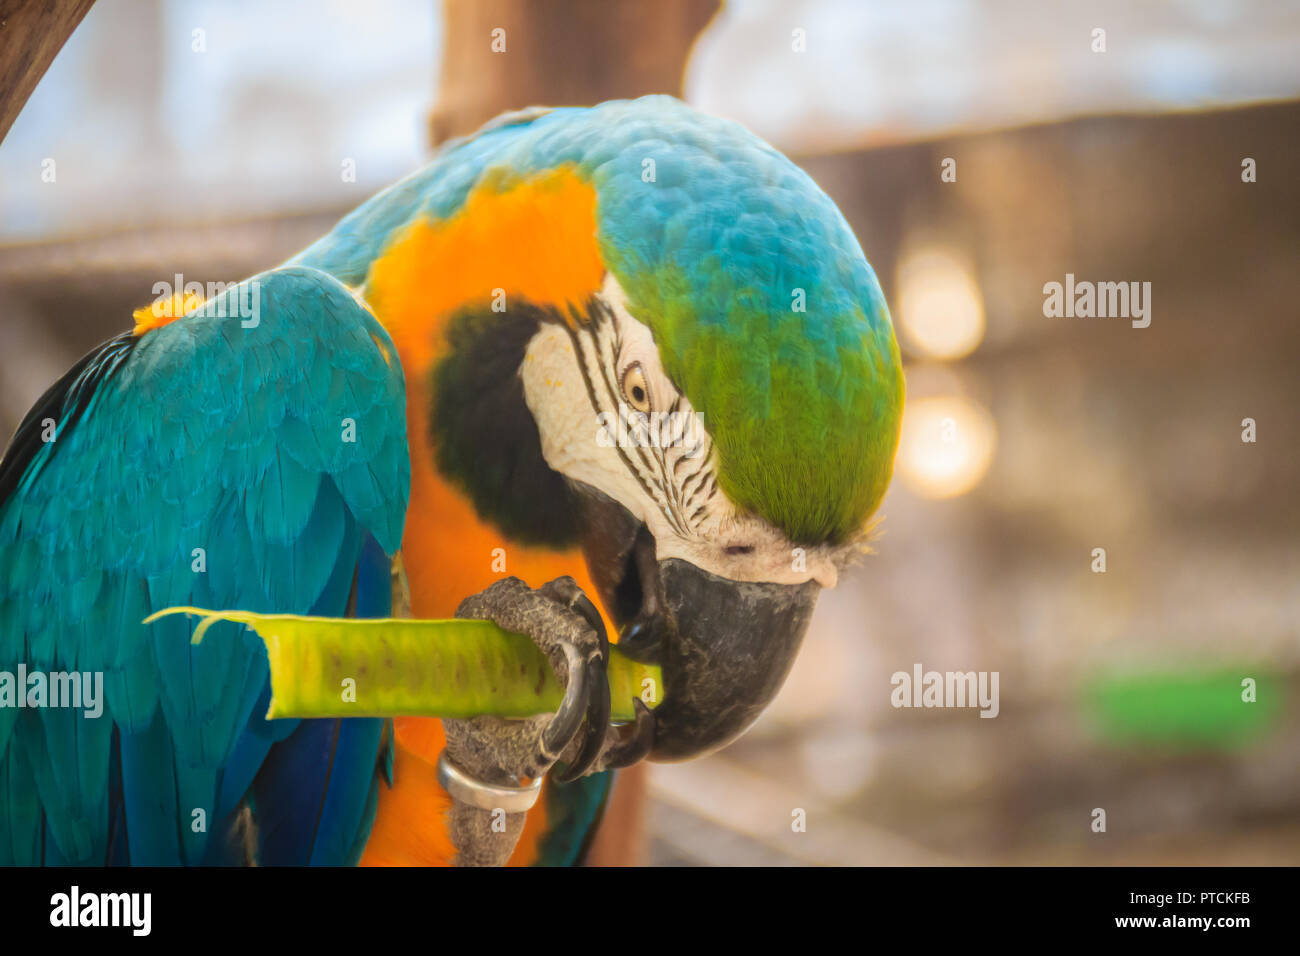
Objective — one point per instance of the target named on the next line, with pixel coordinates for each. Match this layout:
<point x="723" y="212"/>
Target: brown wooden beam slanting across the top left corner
<point x="32" y="33"/>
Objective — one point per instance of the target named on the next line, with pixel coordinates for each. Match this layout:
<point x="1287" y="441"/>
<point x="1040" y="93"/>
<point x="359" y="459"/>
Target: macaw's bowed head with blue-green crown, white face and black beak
<point x="705" y="388"/>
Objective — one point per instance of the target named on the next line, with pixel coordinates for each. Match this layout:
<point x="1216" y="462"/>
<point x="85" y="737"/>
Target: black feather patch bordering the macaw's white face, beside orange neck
<point x="484" y="436"/>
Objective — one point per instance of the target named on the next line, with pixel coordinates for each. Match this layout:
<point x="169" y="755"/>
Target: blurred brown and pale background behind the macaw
<point x="219" y="137"/>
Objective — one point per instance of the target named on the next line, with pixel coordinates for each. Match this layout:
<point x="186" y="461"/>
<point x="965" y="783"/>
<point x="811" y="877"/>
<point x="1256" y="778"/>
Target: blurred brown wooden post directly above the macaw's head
<point x="558" y="54"/>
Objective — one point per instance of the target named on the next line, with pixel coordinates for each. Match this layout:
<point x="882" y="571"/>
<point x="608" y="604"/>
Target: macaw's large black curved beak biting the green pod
<point x="726" y="647"/>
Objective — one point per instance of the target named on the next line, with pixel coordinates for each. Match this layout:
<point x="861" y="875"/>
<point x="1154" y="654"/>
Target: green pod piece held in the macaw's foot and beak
<point x="408" y="668"/>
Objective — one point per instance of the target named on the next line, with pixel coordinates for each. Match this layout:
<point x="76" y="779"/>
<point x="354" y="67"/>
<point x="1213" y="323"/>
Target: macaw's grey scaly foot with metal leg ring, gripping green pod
<point x="493" y="767"/>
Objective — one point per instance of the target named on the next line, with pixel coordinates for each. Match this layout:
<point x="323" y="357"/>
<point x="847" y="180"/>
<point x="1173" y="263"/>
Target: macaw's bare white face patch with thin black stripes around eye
<point x="609" y="417"/>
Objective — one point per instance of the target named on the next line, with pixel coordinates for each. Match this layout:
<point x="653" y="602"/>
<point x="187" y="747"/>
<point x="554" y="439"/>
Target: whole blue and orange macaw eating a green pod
<point x="632" y="347"/>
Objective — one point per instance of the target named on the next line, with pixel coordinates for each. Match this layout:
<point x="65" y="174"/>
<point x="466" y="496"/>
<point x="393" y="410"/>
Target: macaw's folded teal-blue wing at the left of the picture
<point x="203" y="464"/>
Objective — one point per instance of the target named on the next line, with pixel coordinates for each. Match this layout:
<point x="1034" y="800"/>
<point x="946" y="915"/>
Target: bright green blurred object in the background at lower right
<point x="1184" y="710"/>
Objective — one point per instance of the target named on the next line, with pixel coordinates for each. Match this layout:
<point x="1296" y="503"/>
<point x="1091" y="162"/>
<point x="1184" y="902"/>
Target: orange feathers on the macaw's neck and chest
<point x="532" y="240"/>
